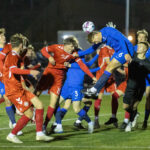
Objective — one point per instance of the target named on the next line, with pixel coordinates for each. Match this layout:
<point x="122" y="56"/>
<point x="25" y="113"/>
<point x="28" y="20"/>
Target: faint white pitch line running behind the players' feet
<point x="65" y="120"/>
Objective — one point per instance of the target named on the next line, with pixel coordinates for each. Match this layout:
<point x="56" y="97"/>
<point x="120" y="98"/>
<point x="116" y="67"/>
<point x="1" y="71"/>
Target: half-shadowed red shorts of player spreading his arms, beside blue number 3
<point x="51" y="80"/>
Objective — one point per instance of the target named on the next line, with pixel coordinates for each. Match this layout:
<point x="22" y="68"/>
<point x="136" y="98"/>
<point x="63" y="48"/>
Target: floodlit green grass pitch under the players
<point x="107" y="137"/>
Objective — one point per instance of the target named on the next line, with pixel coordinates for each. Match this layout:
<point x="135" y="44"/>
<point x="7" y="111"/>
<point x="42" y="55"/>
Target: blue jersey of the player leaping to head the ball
<point x="115" y="39"/>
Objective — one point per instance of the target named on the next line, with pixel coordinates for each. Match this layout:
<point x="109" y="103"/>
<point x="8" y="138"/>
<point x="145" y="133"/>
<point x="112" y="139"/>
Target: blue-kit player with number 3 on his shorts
<point x="71" y="92"/>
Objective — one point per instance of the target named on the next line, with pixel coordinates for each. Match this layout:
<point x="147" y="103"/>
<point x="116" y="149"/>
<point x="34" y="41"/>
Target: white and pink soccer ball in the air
<point x="88" y="26"/>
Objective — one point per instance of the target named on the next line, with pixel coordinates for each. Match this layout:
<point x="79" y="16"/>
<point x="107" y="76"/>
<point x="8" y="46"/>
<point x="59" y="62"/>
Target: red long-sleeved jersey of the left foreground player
<point x="11" y="77"/>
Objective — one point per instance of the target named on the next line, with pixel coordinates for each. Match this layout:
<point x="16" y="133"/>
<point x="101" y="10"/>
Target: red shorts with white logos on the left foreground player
<point x="22" y="100"/>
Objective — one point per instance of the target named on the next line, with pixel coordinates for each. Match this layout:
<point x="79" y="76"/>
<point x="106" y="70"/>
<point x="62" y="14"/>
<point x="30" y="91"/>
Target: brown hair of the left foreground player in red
<point x="15" y="41"/>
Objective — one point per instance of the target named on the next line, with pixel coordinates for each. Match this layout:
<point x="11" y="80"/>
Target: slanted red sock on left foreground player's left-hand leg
<point x="21" y="123"/>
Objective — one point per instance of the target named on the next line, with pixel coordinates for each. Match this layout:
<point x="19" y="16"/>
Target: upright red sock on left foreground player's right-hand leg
<point x="39" y="119"/>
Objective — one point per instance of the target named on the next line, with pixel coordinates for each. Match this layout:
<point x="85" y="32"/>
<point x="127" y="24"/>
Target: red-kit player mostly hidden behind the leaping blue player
<point x="105" y="55"/>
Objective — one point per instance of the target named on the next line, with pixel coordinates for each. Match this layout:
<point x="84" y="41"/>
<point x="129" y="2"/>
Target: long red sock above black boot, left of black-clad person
<point x="114" y="103"/>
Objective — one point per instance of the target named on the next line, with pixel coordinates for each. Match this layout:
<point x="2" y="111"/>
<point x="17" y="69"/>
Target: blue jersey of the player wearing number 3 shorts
<point x="75" y="76"/>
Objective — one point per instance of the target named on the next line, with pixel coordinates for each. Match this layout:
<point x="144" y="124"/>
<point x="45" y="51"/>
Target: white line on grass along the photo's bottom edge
<point x="84" y="147"/>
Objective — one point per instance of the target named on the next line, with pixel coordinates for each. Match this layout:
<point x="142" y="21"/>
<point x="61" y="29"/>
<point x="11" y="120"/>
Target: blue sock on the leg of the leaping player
<point x="102" y="81"/>
